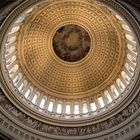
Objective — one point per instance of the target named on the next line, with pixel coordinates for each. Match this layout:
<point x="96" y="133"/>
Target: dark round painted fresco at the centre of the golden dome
<point x="71" y="43"/>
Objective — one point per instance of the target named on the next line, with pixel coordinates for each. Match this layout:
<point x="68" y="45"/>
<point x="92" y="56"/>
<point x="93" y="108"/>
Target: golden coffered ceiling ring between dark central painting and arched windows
<point x="39" y="62"/>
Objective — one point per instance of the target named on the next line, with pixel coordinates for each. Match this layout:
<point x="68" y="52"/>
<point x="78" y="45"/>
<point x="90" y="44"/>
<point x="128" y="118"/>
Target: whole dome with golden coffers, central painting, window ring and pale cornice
<point x="74" y="62"/>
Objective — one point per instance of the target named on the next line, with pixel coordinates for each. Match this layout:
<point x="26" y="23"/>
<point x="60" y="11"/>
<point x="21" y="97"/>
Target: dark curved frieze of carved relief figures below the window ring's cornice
<point x="69" y="131"/>
